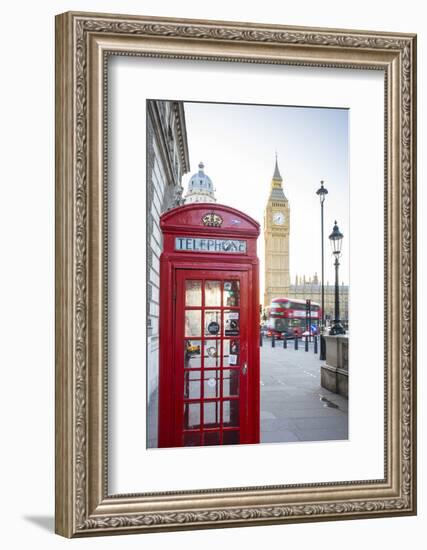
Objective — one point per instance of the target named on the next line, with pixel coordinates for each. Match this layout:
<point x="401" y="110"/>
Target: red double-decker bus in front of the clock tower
<point x="290" y="318"/>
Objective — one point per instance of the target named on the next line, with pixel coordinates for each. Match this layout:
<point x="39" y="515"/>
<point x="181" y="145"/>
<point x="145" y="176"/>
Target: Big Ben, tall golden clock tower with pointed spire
<point x="276" y="235"/>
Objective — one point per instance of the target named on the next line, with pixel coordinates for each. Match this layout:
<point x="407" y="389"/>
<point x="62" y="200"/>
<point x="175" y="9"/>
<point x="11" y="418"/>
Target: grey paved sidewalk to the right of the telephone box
<point x="294" y="406"/>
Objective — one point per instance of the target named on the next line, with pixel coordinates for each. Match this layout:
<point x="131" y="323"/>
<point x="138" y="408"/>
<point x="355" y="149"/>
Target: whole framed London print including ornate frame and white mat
<point x="235" y="276"/>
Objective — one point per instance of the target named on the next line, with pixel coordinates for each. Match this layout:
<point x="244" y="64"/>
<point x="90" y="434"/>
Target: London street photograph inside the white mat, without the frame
<point x="247" y="273"/>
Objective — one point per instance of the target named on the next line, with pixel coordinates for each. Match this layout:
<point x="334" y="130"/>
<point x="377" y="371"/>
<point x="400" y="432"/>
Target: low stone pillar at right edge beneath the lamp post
<point x="334" y="374"/>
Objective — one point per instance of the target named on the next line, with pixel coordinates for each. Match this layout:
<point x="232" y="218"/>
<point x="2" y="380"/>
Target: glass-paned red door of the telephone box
<point x="212" y="370"/>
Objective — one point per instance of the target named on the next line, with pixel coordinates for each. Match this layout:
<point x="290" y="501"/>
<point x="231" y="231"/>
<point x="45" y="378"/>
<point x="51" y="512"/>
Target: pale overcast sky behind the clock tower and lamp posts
<point x="237" y="144"/>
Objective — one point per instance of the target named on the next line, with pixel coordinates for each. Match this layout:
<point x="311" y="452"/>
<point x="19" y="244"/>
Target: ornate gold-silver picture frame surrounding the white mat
<point x="84" y="42"/>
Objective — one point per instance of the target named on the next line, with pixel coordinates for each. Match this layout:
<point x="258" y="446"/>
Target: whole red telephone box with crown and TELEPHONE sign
<point x="209" y="327"/>
